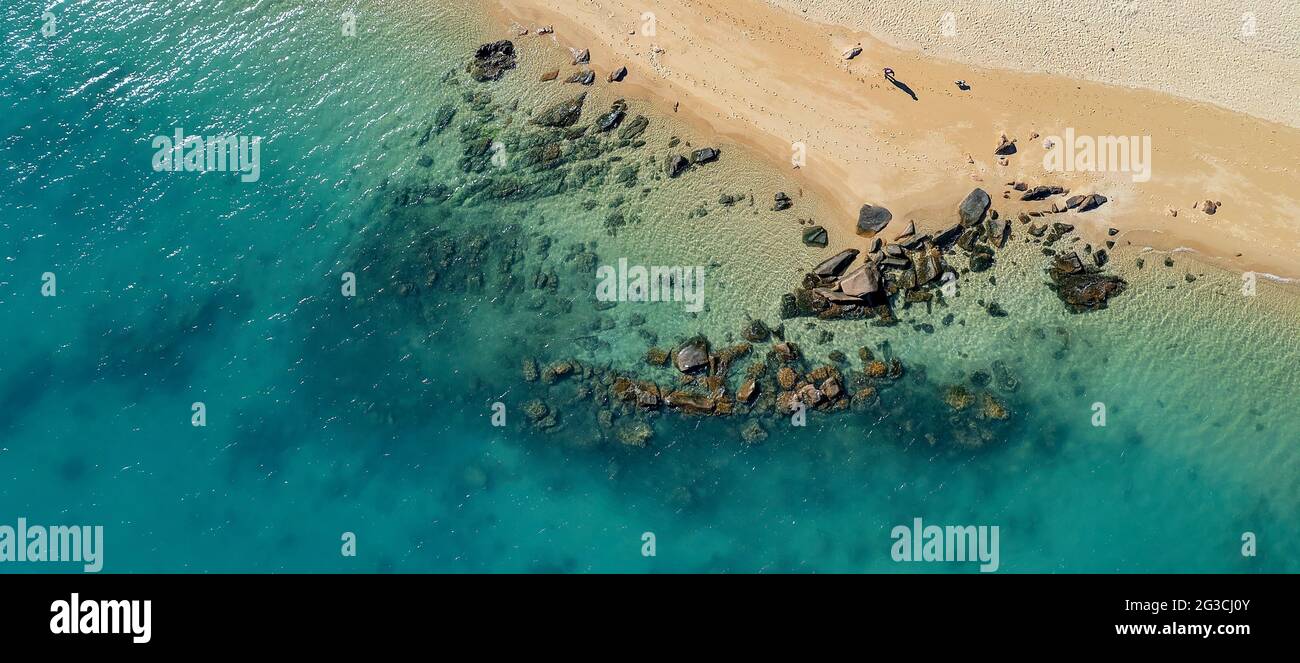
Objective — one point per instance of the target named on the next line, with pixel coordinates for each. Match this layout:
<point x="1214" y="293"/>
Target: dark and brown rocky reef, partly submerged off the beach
<point x="755" y="387"/>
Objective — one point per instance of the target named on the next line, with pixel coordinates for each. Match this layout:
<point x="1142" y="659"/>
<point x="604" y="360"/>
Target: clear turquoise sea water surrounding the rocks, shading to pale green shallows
<point x="372" y="414"/>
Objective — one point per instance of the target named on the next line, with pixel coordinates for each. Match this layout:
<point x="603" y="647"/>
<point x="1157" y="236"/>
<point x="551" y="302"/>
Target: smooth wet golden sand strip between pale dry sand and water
<point x="778" y="83"/>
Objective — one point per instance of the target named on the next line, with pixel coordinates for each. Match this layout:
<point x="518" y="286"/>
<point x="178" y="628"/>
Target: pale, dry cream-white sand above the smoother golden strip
<point x="1197" y="50"/>
